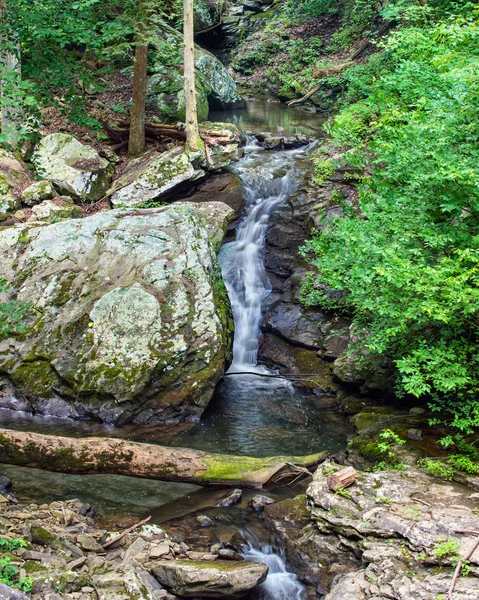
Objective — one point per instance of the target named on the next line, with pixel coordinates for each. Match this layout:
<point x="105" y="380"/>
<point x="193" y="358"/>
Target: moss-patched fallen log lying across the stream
<point x="150" y="461"/>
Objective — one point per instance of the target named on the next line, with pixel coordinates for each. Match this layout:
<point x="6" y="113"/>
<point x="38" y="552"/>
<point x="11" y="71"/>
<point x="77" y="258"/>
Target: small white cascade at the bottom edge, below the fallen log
<point x="280" y="584"/>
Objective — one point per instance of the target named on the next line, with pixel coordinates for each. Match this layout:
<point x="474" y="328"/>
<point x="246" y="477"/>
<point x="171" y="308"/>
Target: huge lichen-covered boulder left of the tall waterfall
<point x="129" y="318"/>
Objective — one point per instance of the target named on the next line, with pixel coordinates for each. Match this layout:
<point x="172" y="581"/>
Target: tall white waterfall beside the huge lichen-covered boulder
<point x="268" y="178"/>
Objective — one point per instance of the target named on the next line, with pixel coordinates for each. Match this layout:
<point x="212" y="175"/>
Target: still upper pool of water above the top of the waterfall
<point x="276" y="117"/>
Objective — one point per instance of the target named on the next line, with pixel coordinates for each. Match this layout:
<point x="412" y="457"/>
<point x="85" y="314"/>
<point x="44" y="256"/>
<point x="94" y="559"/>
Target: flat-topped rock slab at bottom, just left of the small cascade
<point x="221" y="579"/>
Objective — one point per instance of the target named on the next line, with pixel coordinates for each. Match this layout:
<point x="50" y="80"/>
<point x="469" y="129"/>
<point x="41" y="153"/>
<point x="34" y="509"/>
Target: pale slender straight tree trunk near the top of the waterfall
<point x="193" y="140"/>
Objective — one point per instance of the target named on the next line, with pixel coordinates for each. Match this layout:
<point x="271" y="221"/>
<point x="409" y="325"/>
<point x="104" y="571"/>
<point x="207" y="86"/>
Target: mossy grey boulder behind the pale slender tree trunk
<point x="215" y="88"/>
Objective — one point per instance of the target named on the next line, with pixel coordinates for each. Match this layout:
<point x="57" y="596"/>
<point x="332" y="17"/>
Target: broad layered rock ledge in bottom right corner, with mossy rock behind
<point x="392" y="535"/>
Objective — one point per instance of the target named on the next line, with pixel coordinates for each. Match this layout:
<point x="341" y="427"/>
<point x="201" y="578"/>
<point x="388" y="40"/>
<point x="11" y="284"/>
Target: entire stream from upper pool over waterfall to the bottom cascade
<point x="249" y="414"/>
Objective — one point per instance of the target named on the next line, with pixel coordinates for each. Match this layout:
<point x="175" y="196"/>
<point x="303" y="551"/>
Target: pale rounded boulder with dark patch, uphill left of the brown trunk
<point x="74" y="169"/>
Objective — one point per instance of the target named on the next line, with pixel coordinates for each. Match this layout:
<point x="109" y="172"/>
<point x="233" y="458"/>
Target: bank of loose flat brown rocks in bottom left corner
<point x="68" y="557"/>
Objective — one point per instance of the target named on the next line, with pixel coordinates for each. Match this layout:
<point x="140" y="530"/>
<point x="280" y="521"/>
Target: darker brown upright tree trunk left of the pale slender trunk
<point x="136" y="142"/>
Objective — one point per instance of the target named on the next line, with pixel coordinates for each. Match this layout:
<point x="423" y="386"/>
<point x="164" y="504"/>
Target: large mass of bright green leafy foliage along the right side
<point x="408" y="266"/>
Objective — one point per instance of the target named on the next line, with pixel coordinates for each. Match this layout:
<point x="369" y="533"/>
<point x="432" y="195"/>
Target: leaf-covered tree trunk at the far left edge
<point x="10" y="75"/>
